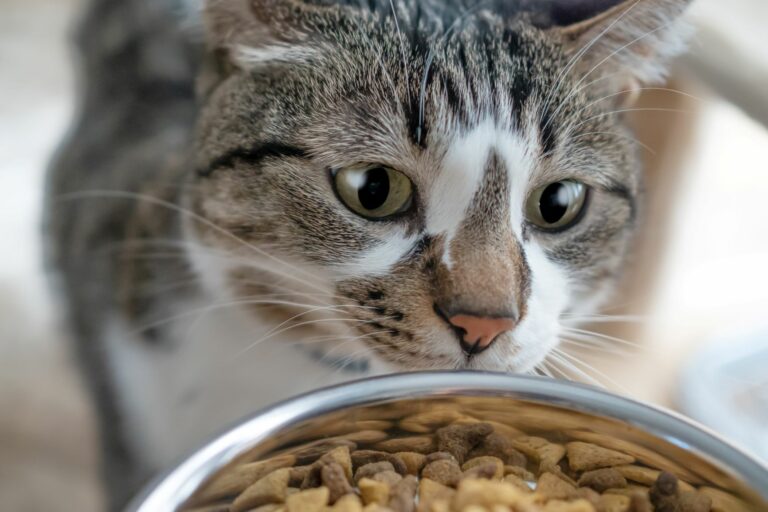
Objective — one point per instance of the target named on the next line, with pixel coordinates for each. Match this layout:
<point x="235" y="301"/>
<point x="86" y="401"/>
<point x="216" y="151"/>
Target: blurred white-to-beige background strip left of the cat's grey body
<point x="46" y="451"/>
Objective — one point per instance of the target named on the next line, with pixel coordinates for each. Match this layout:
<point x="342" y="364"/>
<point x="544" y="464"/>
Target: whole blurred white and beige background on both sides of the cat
<point x="696" y="338"/>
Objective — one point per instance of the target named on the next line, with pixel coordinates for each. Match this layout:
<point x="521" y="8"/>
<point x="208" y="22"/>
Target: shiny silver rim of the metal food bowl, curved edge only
<point x="174" y="487"/>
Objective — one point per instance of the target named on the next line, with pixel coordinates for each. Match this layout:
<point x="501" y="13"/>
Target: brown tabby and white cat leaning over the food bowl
<point x="263" y="197"/>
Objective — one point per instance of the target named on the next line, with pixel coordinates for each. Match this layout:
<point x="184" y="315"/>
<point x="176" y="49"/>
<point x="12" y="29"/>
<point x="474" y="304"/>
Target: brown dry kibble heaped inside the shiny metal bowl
<point x="441" y="462"/>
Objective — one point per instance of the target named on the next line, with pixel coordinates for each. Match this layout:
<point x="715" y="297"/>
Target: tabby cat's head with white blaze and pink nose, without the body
<point x="451" y="177"/>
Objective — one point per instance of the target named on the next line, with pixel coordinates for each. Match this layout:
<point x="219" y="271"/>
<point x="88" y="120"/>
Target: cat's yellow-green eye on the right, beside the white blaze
<point x="557" y="206"/>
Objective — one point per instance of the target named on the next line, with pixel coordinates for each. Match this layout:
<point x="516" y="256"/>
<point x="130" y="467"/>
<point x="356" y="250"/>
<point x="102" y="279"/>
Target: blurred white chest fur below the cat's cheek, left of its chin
<point x="216" y="373"/>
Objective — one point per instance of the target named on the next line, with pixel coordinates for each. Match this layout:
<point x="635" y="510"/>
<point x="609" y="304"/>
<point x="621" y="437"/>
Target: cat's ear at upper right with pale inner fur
<point x="631" y="40"/>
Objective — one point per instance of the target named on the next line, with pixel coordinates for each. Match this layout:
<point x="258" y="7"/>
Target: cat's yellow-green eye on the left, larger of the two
<point x="374" y="192"/>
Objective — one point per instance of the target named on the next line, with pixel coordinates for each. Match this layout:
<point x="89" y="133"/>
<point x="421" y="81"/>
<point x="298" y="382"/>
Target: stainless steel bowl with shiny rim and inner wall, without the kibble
<point x="537" y="405"/>
